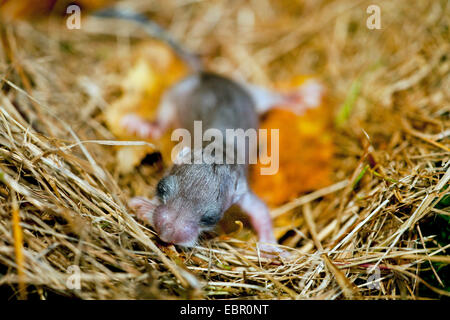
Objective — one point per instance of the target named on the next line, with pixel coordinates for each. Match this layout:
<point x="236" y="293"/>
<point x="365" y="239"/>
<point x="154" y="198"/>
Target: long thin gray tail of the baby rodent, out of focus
<point x="154" y="30"/>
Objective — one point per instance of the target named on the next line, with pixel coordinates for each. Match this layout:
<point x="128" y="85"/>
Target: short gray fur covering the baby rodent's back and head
<point x="222" y="104"/>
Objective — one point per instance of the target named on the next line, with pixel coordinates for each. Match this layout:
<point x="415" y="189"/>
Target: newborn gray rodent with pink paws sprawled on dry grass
<point x="193" y="197"/>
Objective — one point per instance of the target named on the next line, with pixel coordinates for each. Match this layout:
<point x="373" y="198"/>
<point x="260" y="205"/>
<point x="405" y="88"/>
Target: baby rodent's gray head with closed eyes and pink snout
<point x="190" y="199"/>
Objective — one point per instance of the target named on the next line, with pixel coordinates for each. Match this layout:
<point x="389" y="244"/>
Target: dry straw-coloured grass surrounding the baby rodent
<point x="391" y="167"/>
